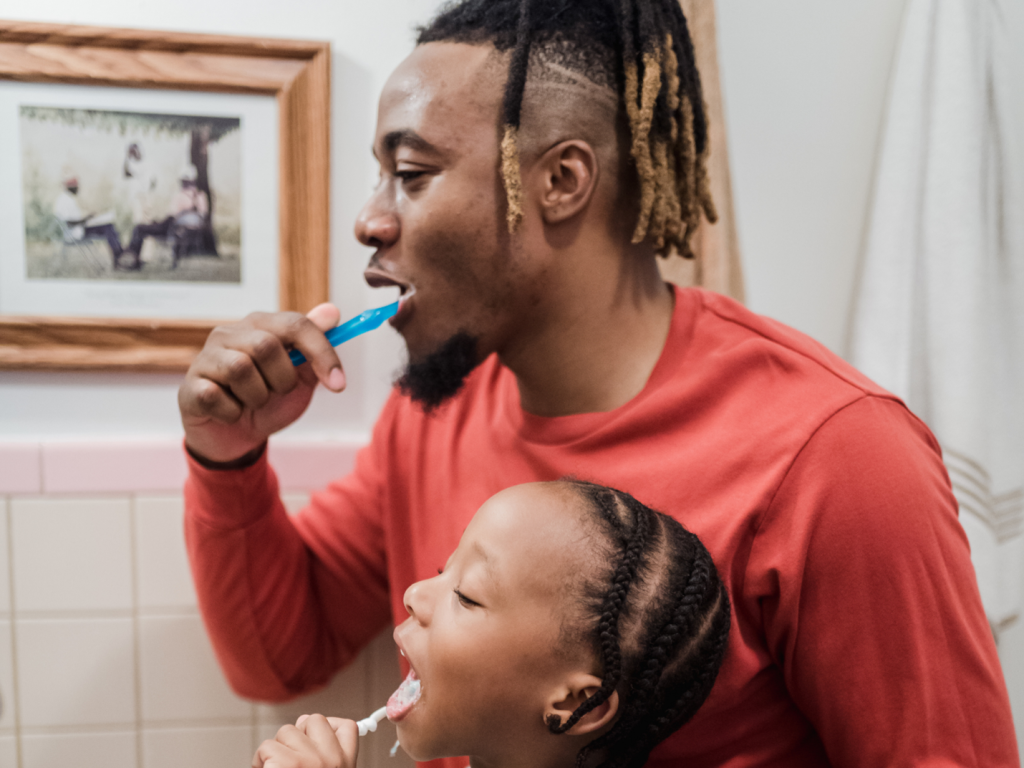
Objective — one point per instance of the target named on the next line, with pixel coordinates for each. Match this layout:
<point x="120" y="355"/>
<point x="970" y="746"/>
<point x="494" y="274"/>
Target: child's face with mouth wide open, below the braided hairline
<point x="484" y="636"/>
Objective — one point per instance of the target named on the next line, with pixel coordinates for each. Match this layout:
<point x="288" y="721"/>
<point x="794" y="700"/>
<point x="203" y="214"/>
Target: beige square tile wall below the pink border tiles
<point x="104" y="659"/>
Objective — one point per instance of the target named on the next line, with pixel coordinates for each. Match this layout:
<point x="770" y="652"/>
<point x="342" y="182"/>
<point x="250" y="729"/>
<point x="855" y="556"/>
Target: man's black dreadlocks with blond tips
<point x="647" y="45"/>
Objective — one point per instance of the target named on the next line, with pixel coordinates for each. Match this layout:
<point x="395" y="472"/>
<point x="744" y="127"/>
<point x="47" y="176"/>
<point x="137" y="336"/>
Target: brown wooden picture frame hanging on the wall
<point x="296" y="73"/>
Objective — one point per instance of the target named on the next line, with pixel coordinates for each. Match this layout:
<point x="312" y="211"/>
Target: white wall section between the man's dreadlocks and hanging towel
<point x="804" y="83"/>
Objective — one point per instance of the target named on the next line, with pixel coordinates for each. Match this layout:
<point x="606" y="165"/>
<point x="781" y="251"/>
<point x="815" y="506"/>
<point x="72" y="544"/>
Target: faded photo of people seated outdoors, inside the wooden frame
<point x="137" y="196"/>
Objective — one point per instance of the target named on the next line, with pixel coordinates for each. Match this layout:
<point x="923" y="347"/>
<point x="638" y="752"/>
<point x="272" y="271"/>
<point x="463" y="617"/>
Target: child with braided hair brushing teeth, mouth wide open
<point x="573" y="626"/>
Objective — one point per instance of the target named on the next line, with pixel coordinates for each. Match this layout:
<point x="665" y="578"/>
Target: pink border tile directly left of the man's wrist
<point x="108" y="466"/>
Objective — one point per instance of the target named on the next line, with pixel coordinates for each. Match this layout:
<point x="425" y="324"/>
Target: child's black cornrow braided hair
<point x="660" y="624"/>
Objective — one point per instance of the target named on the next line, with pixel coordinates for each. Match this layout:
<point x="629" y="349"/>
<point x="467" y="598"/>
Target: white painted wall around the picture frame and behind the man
<point x="804" y="82"/>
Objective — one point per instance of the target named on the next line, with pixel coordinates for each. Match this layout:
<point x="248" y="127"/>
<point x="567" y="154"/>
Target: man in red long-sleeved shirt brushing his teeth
<point x="528" y="182"/>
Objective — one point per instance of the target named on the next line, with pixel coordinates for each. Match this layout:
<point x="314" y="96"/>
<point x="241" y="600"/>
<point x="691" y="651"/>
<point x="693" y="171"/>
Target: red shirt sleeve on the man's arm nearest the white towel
<point x="863" y="577"/>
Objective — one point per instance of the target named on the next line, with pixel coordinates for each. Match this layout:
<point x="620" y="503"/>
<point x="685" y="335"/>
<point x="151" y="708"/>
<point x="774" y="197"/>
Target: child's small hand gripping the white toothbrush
<point x="315" y="742"/>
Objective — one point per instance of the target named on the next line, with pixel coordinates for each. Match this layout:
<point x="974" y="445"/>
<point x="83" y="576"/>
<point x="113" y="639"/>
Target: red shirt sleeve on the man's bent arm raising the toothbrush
<point x="285" y="610"/>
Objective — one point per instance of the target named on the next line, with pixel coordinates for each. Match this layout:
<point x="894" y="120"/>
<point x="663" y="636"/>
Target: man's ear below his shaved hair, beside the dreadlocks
<point x="568" y="177"/>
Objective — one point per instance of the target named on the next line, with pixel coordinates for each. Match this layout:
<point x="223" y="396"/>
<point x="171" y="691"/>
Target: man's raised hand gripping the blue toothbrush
<point x="243" y="388"/>
